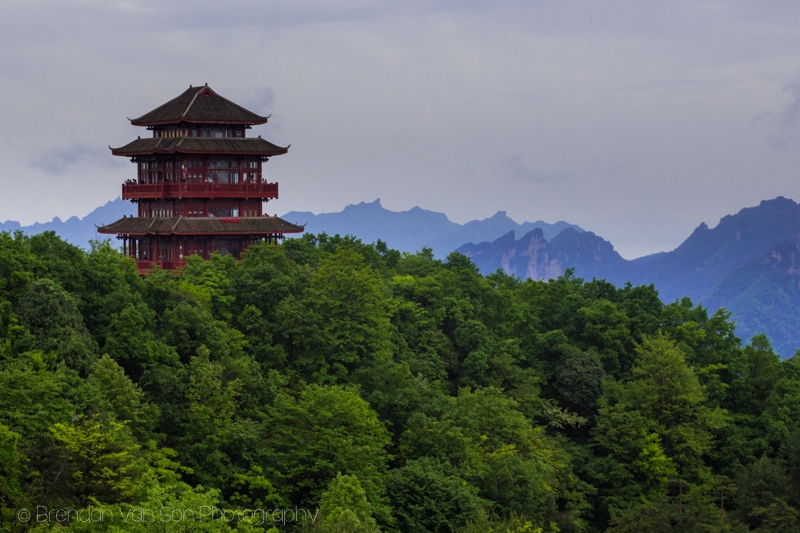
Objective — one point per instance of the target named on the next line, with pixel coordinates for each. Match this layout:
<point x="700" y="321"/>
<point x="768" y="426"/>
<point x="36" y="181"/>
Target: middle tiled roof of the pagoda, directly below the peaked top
<point x="199" y="145"/>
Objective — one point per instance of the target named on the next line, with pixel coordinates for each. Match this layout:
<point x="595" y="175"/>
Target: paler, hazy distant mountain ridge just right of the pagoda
<point x="411" y="230"/>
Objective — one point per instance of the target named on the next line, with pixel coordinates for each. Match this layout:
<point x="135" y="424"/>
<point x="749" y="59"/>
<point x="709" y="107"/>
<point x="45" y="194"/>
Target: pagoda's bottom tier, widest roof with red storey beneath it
<point x="165" y="242"/>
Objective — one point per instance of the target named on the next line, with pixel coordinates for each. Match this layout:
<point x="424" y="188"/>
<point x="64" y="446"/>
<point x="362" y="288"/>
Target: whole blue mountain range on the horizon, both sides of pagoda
<point x="748" y="263"/>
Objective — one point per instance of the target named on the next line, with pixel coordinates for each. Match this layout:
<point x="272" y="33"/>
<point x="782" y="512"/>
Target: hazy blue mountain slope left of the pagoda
<point x="78" y="231"/>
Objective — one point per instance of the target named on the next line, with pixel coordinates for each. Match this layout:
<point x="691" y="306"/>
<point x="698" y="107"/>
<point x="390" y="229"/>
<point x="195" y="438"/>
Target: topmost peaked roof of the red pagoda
<point x="200" y="105"/>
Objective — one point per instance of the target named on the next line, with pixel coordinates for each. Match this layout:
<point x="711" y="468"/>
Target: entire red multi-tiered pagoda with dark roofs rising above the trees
<point x="199" y="185"/>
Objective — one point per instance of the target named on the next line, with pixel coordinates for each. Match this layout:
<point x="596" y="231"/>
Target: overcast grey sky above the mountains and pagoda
<point x="637" y="120"/>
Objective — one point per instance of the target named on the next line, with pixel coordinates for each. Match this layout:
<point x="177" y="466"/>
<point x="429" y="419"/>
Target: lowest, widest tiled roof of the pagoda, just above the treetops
<point x="201" y="226"/>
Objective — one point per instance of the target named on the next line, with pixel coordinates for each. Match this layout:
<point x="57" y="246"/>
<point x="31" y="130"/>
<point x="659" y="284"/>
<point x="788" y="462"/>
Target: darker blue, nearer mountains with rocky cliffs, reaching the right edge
<point x="748" y="264"/>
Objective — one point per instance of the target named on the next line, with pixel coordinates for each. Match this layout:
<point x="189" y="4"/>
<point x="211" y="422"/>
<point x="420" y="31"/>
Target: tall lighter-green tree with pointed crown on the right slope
<point x="653" y="428"/>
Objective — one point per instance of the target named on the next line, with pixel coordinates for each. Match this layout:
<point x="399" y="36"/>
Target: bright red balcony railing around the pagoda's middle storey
<point x="179" y="191"/>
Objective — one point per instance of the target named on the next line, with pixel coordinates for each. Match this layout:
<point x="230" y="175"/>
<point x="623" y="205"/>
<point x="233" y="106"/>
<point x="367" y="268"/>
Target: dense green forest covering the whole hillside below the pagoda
<point x="332" y="386"/>
